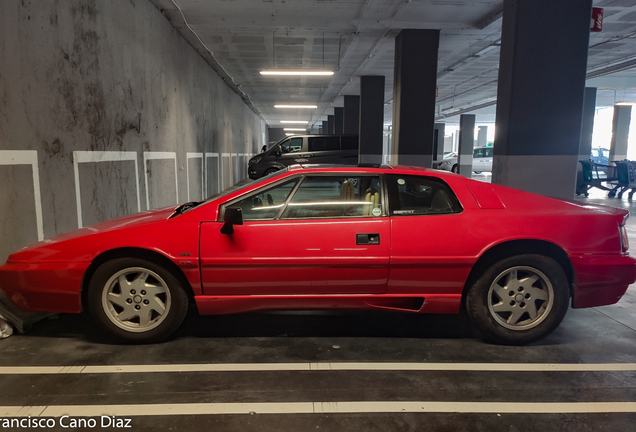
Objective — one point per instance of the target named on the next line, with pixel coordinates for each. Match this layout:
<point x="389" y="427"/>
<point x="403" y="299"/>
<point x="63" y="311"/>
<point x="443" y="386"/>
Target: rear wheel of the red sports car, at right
<point x="519" y="300"/>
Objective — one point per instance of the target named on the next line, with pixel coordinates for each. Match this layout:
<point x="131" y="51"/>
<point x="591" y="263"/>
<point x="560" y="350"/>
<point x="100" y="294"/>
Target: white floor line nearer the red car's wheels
<point x="263" y="367"/>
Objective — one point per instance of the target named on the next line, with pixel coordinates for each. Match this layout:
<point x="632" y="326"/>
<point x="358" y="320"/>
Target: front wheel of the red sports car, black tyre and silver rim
<point x="149" y="288"/>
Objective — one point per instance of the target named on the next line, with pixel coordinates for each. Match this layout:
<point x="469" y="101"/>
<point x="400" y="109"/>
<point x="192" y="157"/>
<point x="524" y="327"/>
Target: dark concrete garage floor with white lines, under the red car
<point x="332" y="372"/>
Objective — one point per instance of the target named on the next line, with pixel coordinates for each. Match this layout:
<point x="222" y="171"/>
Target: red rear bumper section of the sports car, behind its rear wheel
<point x="601" y="279"/>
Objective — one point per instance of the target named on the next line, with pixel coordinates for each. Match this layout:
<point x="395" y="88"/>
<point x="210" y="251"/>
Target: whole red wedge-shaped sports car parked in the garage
<point x="397" y="238"/>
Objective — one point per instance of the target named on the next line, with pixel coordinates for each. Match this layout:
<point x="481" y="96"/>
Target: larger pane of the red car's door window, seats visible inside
<point x="336" y="196"/>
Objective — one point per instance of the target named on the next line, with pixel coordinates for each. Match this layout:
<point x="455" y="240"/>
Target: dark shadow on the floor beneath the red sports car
<point x="283" y="324"/>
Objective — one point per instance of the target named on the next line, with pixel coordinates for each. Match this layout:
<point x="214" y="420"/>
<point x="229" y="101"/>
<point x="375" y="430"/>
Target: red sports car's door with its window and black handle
<point x="319" y="234"/>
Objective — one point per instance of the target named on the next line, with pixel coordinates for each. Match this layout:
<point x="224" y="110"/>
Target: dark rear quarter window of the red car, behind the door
<point x="418" y="195"/>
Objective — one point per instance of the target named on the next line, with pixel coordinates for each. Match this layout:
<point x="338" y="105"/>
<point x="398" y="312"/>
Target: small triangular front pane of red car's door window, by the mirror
<point x="265" y="204"/>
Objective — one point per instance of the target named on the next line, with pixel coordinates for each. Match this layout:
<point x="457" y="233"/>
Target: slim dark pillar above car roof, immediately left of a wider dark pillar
<point x="371" y="119"/>
